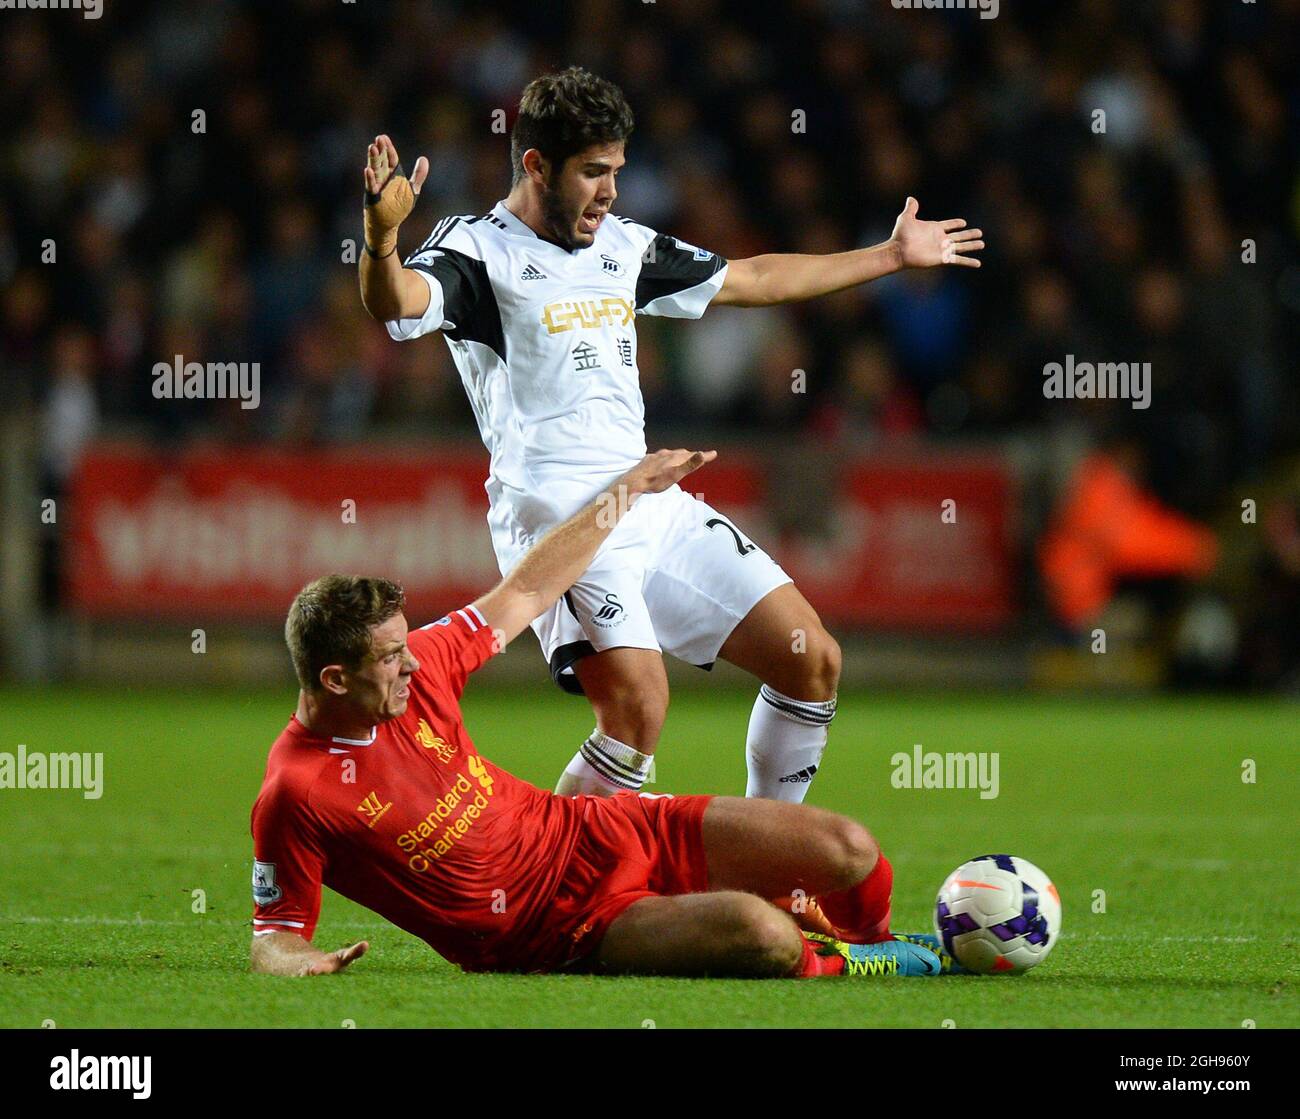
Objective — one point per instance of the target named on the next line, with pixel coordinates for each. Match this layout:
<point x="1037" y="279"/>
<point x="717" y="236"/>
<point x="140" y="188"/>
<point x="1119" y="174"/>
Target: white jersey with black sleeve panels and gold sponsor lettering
<point x="545" y="339"/>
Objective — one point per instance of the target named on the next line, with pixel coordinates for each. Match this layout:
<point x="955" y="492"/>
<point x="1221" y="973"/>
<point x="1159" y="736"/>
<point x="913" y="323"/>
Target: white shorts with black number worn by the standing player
<point x="675" y="576"/>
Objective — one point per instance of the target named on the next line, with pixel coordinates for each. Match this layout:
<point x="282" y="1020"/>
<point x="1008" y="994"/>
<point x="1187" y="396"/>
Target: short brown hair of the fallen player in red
<point x="331" y="621"/>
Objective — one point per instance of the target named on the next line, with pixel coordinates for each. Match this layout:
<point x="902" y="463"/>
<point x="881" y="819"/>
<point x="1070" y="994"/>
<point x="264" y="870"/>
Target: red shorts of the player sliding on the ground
<point x="631" y="847"/>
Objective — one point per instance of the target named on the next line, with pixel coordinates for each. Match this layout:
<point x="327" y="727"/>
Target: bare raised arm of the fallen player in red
<point x="557" y="562"/>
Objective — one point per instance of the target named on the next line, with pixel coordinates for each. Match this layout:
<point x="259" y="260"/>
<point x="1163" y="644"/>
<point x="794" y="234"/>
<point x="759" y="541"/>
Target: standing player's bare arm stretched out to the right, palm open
<point x="790" y="277"/>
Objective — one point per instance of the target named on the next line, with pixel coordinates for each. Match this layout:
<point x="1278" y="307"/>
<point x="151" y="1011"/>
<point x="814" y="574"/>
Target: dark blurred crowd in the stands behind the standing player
<point x="1171" y="237"/>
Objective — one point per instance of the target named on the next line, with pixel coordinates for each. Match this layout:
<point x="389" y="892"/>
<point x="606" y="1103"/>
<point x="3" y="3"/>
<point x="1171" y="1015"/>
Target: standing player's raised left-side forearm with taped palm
<point x="389" y="290"/>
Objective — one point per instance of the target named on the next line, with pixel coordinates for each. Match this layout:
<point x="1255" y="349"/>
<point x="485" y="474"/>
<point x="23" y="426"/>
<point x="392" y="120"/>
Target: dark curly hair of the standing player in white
<point x="564" y="114"/>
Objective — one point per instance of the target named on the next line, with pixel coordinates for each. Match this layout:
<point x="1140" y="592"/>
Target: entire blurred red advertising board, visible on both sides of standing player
<point x="236" y="534"/>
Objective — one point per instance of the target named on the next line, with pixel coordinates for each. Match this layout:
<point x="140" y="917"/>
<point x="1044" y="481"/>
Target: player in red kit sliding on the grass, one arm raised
<point x="376" y="791"/>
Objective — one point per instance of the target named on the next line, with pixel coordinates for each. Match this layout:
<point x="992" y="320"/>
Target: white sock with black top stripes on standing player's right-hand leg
<point x="787" y="739"/>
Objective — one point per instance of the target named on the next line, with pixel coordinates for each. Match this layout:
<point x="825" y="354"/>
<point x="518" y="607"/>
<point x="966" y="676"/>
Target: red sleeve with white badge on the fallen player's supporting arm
<point x="288" y="865"/>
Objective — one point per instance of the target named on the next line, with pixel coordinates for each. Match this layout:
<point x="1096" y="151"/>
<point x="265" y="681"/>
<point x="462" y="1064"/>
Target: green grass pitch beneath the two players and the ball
<point x="1143" y="800"/>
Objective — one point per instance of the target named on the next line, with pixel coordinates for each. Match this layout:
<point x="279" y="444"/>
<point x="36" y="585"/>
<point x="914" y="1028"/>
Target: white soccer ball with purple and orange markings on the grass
<point x="998" y="913"/>
